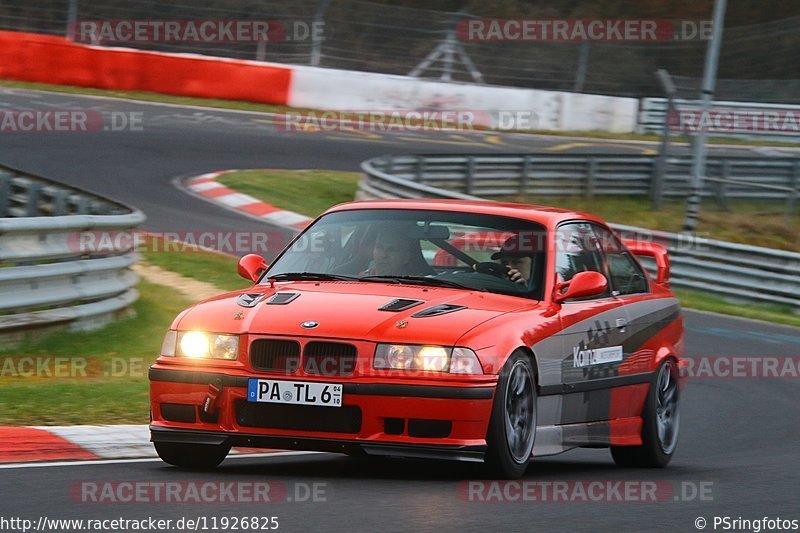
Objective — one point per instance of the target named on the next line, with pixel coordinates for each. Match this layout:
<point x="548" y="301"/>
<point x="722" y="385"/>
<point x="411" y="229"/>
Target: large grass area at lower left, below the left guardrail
<point x="113" y="389"/>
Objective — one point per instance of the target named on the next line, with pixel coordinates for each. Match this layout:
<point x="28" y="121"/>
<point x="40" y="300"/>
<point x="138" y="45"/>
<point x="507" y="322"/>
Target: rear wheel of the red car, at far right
<point x="660" y="423"/>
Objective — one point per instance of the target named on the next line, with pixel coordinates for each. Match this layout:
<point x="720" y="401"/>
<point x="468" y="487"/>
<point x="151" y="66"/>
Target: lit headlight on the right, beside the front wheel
<point x="426" y="359"/>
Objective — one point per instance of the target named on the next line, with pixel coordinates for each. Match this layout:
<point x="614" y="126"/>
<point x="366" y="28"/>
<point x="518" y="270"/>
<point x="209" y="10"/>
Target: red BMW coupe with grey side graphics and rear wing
<point x="476" y="331"/>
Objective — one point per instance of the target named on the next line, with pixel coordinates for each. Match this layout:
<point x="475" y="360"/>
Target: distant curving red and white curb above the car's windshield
<point x="209" y="189"/>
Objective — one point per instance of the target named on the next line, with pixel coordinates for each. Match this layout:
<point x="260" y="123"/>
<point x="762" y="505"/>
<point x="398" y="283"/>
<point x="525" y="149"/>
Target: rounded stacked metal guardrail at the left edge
<point x="50" y="273"/>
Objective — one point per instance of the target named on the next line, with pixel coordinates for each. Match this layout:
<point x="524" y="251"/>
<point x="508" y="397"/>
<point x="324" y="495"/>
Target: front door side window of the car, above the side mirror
<point x="577" y="250"/>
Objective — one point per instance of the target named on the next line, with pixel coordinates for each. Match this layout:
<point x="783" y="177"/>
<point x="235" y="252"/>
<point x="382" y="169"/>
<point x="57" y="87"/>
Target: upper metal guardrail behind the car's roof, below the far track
<point x="595" y="174"/>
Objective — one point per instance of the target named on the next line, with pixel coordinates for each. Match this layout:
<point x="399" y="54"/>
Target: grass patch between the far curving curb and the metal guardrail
<point x="309" y="192"/>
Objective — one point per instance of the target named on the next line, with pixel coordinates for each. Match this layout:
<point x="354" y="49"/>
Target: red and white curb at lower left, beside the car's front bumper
<point x="26" y="444"/>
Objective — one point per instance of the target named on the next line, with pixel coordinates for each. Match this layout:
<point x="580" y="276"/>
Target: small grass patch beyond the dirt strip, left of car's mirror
<point x="215" y="268"/>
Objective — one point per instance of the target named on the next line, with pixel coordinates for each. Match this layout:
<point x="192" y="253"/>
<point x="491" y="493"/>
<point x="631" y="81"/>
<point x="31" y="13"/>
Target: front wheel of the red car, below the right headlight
<point x="512" y="428"/>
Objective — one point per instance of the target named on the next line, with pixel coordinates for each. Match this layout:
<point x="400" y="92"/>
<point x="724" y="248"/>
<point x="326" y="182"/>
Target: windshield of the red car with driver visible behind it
<point x="438" y="248"/>
